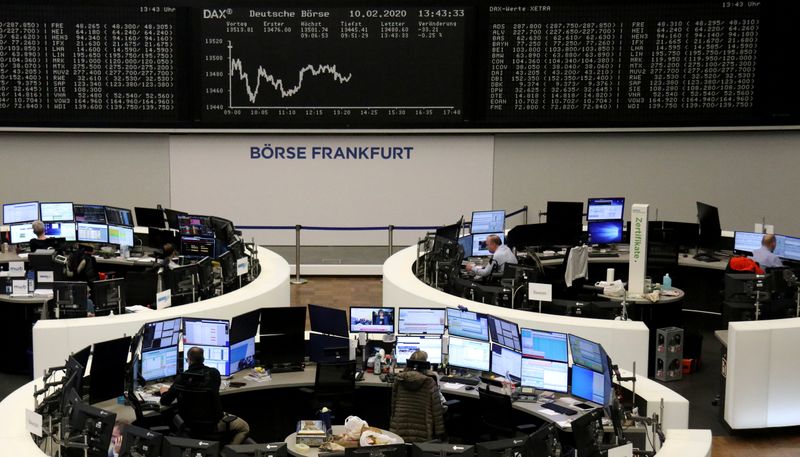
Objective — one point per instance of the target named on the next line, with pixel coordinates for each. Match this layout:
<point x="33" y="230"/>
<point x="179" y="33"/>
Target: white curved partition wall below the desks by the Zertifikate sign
<point x="626" y="342"/>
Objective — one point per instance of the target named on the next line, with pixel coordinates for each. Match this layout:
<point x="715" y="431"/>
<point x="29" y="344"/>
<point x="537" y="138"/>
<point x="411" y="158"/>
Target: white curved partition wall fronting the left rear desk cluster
<point x="55" y="339"/>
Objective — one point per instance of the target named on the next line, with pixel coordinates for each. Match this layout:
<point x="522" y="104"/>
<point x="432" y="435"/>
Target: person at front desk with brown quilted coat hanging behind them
<point x="417" y="412"/>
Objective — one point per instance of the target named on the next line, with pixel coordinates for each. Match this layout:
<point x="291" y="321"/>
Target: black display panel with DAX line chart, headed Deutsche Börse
<point x="333" y="66"/>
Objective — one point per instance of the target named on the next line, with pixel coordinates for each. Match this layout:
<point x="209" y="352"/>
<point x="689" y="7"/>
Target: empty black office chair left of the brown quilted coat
<point x="334" y="387"/>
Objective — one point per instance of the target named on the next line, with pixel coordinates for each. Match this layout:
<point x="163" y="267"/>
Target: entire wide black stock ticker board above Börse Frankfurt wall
<point x="472" y="64"/>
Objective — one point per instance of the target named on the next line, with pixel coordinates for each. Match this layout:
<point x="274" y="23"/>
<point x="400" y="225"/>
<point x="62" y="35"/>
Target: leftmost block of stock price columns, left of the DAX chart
<point x="94" y="64"/>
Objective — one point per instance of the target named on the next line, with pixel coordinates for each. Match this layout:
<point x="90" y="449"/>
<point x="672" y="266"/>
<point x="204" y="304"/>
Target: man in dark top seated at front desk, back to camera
<point x="209" y="379"/>
